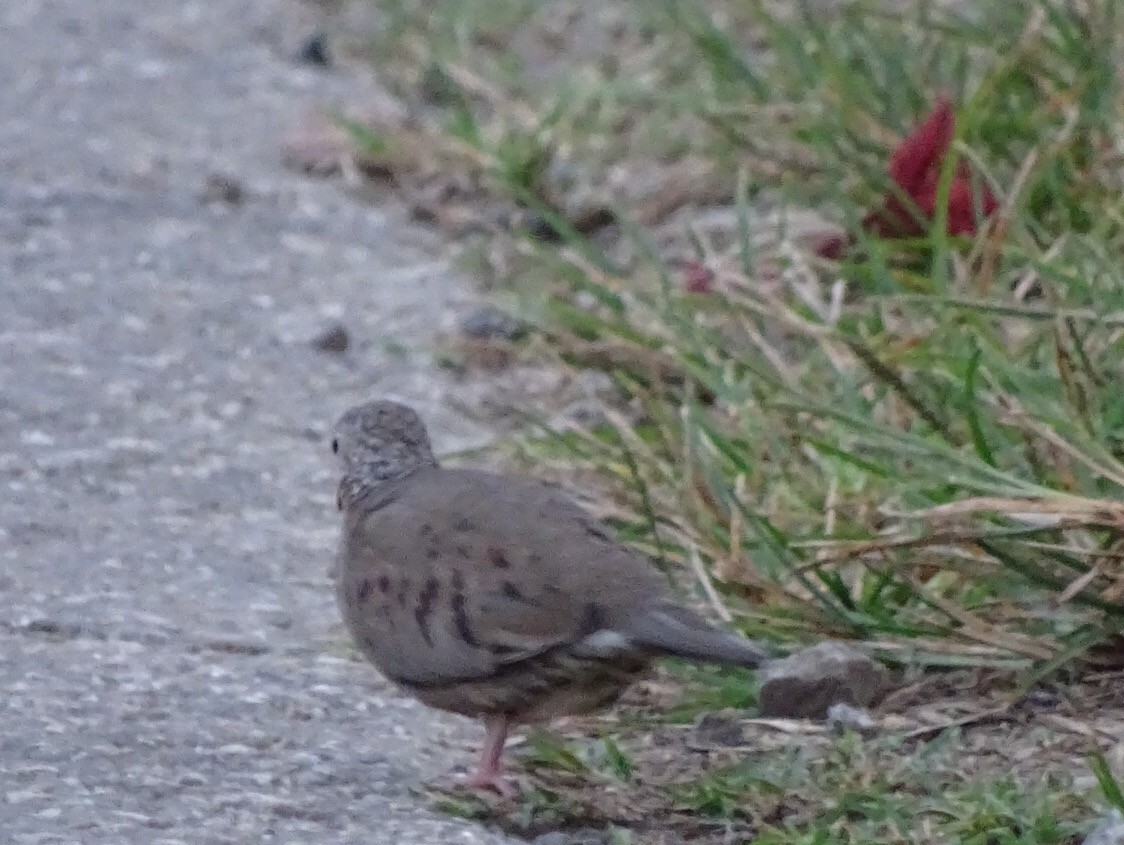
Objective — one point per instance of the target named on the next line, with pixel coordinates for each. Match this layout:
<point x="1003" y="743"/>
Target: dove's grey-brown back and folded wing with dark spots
<point x="458" y="575"/>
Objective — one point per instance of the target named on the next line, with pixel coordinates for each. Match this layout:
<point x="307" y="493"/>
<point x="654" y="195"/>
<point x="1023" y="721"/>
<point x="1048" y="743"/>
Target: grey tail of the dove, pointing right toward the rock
<point x="670" y="631"/>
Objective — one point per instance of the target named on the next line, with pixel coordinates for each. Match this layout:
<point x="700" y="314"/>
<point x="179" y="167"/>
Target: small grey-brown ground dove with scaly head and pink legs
<point x="492" y="597"/>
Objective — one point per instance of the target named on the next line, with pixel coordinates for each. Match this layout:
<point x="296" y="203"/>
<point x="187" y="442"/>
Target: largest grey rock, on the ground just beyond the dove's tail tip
<point x="805" y="685"/>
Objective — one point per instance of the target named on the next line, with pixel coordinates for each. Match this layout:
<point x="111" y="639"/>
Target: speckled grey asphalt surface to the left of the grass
<point x="173" y="667"/>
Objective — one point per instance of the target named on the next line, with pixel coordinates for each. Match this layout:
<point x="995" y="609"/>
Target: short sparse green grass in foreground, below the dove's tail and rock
<point x="845" y="791"/>
